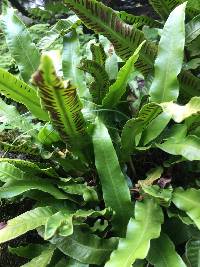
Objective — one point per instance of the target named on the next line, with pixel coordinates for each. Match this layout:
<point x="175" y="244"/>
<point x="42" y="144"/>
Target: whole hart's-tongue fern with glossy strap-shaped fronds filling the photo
<point x="114" y="168"/>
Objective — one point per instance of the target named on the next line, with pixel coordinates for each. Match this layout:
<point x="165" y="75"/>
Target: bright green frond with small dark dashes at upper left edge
<point x="21" y="92"/>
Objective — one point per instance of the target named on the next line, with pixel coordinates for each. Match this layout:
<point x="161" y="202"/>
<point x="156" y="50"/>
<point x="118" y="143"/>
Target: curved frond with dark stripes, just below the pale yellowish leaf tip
<point x="135" y="126"/>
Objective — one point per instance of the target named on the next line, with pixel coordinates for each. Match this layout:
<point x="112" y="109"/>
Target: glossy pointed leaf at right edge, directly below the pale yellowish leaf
<point x="188" y="147"/>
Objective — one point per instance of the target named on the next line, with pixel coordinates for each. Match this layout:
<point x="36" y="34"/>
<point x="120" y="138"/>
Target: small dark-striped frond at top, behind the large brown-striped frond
<point x="138" y="21"/>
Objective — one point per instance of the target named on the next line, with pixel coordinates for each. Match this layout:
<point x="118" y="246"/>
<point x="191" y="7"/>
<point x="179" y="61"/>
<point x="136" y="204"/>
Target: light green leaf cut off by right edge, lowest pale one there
<point x="188" y="200"/>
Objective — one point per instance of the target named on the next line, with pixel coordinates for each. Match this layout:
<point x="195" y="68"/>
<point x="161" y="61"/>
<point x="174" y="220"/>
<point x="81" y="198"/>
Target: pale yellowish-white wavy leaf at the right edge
<point x="180" y="113"/>
